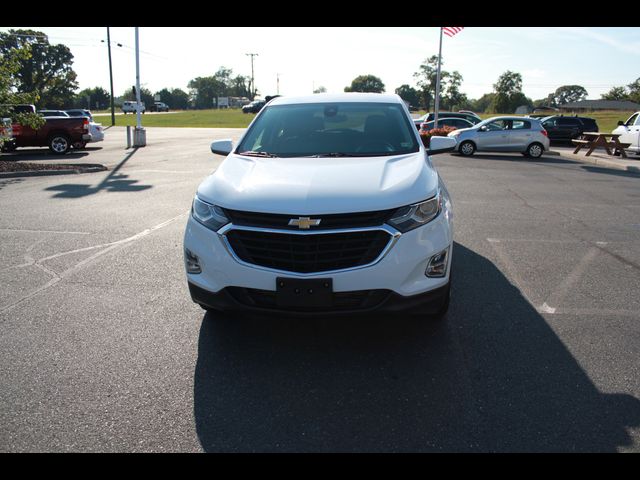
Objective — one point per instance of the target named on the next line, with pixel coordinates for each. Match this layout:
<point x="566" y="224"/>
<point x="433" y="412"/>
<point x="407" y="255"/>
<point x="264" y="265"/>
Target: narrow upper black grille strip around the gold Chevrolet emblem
<point x="327" y="222"/>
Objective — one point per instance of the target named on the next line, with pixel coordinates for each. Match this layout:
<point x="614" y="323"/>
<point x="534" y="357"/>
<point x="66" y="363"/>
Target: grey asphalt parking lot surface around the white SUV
<point x="102" y="349"/>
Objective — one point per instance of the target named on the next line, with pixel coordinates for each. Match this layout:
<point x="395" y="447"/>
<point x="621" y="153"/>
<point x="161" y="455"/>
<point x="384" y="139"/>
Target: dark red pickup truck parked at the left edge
<point x="58" y="133"/>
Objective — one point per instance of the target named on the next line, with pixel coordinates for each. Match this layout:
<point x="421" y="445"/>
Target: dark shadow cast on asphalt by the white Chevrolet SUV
<point x="492" y="377"/>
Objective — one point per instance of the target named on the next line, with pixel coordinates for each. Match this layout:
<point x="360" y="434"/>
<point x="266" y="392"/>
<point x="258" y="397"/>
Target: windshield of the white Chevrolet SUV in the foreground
<point x="331" y="129"/>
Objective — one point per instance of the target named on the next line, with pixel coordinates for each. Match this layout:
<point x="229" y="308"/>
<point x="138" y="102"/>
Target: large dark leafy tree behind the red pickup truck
<point x="47" y="71"/>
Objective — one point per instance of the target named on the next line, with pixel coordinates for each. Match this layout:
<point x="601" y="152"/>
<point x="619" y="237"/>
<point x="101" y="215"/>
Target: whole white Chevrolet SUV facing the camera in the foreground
<point x="328" y="204"/>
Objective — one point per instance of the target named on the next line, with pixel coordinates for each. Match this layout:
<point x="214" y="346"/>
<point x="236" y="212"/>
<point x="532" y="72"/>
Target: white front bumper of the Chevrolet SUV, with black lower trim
<point x="397" y="279"/>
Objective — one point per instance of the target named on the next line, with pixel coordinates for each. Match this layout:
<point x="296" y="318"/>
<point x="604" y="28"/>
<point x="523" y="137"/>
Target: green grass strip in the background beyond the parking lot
<point x="234" y="118"/>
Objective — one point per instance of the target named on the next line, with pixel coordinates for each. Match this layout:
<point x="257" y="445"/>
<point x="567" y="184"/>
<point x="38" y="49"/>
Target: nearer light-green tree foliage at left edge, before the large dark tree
<point x="10" y="61"/>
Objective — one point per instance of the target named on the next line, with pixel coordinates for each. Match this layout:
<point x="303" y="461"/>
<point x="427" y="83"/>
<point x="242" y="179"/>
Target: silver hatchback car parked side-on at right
<point x="503" y="134"/>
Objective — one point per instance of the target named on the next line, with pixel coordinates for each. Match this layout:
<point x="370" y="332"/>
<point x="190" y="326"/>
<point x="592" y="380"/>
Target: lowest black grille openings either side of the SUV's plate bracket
<point x="342" y="301"/>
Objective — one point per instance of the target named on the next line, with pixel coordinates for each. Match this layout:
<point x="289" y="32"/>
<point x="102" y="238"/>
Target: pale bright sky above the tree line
<point x="305" y="58"/>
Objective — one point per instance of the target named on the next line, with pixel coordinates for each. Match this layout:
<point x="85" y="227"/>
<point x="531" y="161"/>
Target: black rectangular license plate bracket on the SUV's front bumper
<point x="296" y="292"/>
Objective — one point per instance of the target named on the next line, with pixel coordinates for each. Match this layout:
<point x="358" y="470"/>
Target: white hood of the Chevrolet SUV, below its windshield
<point x="320" y="185"/>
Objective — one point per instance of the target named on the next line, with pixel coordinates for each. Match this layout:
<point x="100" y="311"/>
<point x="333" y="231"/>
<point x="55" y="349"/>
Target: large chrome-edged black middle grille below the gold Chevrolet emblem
<point x="309" y="252"/>
